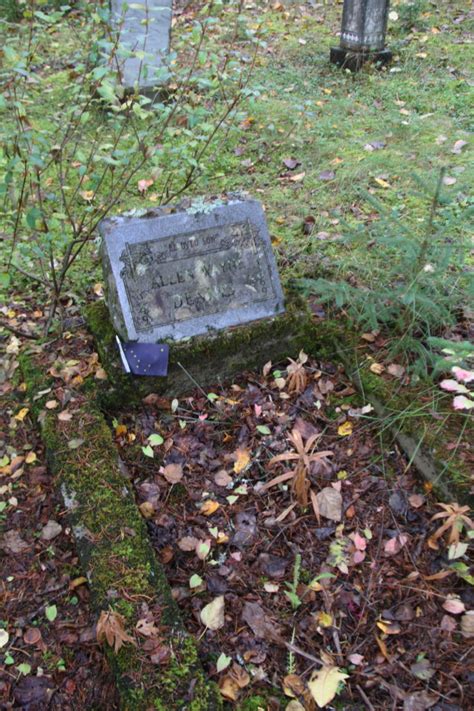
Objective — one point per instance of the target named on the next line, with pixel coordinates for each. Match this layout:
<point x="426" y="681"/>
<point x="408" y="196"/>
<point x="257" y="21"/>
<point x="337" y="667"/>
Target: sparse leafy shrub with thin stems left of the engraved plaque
<point x="68" y="163"/>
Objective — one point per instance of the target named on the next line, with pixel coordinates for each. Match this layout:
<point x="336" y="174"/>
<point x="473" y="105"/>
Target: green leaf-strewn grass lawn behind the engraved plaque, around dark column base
<point x="324" y="117"/>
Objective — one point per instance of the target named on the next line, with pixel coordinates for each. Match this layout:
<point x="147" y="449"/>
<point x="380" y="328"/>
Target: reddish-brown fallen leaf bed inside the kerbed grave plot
<point x="357" y="581"/>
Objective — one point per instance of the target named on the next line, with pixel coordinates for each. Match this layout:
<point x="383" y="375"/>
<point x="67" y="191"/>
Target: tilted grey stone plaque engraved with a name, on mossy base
<point x="187" y="272"/>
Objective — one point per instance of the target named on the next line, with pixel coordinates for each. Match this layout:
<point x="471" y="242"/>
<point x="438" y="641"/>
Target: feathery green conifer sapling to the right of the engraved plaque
<point x="414" y="286"/>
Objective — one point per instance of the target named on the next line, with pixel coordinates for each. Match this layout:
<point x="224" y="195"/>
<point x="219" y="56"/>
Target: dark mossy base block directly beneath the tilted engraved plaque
<point x="204" y="361"/>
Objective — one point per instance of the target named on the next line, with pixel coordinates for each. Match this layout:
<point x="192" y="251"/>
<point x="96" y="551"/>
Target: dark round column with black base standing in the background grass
<point x="364" y="23"/>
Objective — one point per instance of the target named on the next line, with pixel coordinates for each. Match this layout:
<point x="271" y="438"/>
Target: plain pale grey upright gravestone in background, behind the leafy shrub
<point x="144" y="31"/>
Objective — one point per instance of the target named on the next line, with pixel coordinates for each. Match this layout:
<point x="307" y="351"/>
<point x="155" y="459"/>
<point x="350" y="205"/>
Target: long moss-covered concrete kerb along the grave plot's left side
<point x="117" y="558"/>
